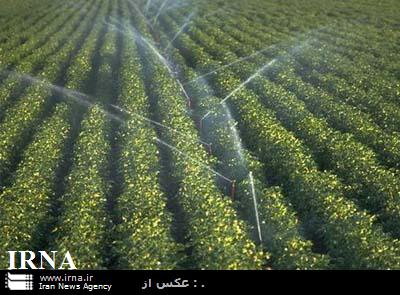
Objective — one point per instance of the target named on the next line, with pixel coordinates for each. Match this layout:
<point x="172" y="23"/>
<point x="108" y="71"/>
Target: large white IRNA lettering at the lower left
<point x="41" y="260"/>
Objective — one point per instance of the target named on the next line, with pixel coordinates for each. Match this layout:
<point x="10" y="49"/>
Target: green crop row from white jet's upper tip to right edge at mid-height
<point x="339" y="115"/>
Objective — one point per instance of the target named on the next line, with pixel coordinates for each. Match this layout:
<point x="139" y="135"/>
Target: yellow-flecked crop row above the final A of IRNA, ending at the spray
<point x="82" y="228"/>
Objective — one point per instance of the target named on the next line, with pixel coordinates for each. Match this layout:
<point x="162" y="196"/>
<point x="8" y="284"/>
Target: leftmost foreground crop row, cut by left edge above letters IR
<point x="24" y="206"/>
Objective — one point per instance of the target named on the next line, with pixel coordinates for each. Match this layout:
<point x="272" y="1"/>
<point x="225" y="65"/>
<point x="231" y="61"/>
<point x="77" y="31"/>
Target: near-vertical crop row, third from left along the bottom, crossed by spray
<point x="144" y="238"/>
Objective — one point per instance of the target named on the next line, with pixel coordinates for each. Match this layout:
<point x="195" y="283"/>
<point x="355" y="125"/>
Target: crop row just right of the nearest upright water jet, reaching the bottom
<point x="279" y="225"/>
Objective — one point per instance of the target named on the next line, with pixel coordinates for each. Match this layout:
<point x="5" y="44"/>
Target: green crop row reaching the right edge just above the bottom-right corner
<point x="353" y="162"/>
